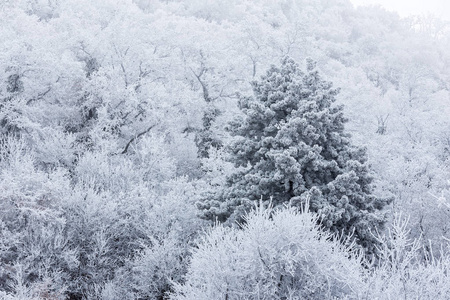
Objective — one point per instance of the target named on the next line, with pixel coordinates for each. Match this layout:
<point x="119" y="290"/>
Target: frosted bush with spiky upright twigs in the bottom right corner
<point x="403" y="272"/>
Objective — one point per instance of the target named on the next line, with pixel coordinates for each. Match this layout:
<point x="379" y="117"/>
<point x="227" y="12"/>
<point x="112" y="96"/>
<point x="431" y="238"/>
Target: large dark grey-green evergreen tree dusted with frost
<point x="291" y="146"/>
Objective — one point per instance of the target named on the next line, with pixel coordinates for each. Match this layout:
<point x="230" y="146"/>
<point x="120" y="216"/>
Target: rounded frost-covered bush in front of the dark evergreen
<point x="278" y="254"/>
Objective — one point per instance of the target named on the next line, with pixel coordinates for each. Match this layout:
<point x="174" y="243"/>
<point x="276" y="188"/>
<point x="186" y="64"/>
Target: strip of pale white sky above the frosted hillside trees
<point x="439" y="8"/>
